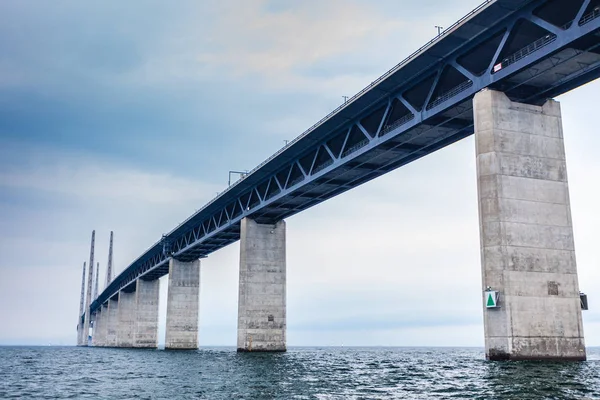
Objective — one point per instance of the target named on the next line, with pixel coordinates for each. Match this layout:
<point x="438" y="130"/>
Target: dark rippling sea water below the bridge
<point x="301" y="373"/>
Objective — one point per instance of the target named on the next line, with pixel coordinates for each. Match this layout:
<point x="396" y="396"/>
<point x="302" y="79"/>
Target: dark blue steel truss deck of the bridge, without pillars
<point x="531" y="50"/>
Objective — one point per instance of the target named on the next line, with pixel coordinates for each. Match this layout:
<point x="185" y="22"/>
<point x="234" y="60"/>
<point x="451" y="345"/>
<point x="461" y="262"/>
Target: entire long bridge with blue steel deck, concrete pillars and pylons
<point x="493" y="73"/>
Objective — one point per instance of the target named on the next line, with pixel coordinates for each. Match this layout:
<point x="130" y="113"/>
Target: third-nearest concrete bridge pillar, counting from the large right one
<point x="183" y="304"/>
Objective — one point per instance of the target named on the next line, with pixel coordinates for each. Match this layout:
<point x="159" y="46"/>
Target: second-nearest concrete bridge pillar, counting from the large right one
<point x="262" y="298"/>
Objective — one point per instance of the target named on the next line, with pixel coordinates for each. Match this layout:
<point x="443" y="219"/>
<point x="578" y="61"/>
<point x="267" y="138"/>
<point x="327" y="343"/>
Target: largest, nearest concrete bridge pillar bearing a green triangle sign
<point x="527" y="247"/>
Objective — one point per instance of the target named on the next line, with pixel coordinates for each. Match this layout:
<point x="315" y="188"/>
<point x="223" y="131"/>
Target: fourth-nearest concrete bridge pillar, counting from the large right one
<point x="146" y="319"/>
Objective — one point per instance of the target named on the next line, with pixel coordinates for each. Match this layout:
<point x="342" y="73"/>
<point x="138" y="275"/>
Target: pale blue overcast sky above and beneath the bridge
<point x="127" y="116"/>
